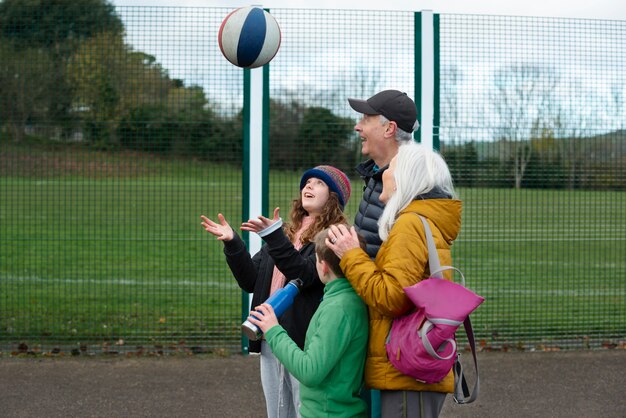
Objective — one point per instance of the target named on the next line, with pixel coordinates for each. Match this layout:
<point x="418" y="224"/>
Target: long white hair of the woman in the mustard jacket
<point x="418" y="170"/>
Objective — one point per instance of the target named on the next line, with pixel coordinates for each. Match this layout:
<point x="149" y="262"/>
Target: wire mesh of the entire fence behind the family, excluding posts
<point x="120" y="127"/>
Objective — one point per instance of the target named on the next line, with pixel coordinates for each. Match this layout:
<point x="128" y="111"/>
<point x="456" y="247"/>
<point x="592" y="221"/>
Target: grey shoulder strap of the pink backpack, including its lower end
<point x="461" y="389"/>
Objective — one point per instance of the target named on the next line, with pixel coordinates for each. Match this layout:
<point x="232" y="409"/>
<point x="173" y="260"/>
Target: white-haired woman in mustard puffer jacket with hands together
<point x="417" y="182"/>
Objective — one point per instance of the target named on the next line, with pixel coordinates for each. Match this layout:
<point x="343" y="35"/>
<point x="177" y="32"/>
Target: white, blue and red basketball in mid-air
<point x="249" y="37"/>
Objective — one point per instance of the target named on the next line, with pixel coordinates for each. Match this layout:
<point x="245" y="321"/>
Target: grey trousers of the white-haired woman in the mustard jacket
<point x="410" y="404"/>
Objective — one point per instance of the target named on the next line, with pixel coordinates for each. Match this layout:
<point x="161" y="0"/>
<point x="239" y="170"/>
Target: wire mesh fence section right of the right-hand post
<point x="532" y="125"/>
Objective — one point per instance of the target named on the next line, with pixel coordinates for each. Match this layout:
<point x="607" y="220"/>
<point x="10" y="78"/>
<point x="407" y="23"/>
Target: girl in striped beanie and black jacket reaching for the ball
<point x="288" y="253"/>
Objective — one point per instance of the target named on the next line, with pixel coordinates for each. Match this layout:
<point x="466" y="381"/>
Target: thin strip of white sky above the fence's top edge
<point x="586" y="9"/>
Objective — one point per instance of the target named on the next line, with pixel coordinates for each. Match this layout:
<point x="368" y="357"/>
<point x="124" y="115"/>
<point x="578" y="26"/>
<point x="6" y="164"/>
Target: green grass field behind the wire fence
<point x="98" y="248"/>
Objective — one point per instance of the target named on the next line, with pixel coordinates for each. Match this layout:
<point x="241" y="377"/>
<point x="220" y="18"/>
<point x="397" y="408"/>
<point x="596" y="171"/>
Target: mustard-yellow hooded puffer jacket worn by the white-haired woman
<point x="401" y="261"/>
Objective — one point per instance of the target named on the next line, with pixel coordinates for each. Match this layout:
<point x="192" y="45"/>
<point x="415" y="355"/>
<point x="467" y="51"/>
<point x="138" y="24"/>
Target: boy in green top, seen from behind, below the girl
<point x="330" y="368"/>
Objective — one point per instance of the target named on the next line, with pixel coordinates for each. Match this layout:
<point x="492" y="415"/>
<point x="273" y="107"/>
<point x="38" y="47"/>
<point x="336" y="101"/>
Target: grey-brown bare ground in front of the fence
<point x="553" y="384"/>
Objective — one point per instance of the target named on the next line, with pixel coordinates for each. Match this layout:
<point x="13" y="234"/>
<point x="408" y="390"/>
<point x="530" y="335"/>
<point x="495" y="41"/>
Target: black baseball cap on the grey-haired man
<point x="392" y="104"/>
